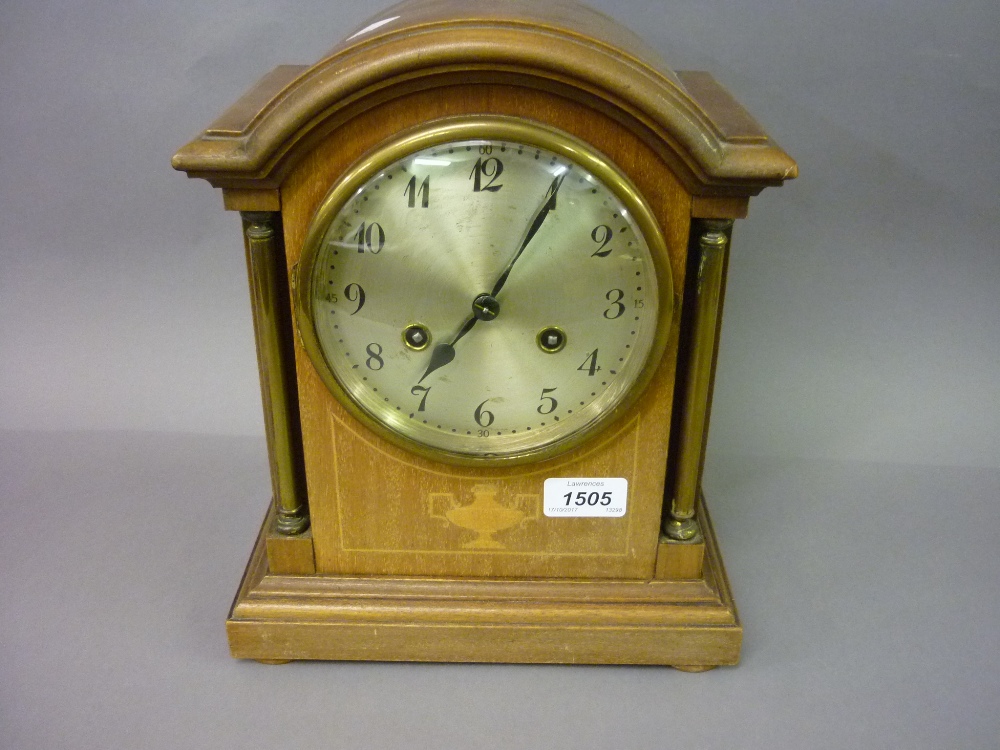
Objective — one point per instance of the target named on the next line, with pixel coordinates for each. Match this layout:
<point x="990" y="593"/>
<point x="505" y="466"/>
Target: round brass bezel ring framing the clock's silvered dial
<point x="488" y="127"/>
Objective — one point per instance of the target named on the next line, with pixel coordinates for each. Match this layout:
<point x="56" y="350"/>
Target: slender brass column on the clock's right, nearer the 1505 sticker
<point x="713" y="248"/>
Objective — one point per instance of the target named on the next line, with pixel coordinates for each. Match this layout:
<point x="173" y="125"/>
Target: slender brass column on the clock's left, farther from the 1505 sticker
<point x="275" y="358"/>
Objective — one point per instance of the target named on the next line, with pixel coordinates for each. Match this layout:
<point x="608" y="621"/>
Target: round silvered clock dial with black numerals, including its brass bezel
<point x="484" y="290"/>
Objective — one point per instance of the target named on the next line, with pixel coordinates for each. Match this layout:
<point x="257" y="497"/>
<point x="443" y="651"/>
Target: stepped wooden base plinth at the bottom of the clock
<point x="690" y="624"/>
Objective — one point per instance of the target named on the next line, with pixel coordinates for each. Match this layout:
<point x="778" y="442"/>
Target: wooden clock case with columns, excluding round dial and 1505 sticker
<point x="370" y="551"/>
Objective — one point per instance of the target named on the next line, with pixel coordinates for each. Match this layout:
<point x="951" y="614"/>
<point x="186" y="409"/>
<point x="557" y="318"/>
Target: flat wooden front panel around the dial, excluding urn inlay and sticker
<point x="372" y="504"/>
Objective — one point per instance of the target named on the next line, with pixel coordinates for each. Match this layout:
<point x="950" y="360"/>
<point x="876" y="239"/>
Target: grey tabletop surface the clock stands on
<point x="870" y="616"/>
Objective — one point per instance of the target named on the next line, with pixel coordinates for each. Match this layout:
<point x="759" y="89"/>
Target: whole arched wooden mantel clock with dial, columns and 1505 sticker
<point x="487" y="248"/>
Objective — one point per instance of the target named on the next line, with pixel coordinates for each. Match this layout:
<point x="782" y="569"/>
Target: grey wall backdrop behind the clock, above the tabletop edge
<point x="862" y="307"/>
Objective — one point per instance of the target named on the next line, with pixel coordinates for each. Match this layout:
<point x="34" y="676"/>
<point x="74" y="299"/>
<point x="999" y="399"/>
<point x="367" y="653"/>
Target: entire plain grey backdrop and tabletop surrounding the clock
<point x="854" y="460"/>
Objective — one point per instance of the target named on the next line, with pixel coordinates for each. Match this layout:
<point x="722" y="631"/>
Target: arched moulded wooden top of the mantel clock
<point x="716" y="147"/>
